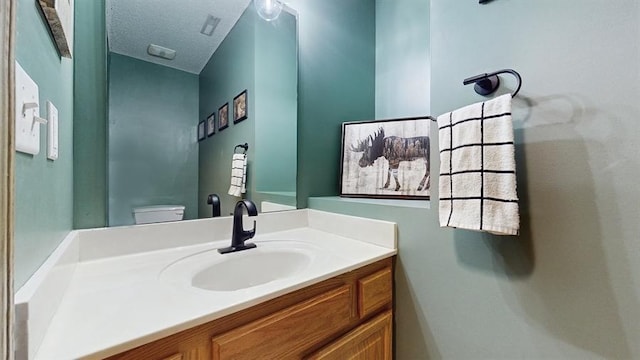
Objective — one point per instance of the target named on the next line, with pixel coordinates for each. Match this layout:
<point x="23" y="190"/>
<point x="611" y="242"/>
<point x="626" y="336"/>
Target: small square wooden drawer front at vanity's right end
<point x="374" y="292"/>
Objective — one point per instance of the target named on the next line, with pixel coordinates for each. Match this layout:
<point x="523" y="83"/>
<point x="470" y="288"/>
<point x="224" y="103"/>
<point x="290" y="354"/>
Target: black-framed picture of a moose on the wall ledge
<point x="386" y="159"/>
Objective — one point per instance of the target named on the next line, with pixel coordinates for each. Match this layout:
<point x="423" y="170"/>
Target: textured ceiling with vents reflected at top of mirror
<point x="174" y="24"/>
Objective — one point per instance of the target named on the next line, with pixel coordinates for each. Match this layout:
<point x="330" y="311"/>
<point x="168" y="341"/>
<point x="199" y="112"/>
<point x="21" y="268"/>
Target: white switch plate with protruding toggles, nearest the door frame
<point x="27" y="130"/>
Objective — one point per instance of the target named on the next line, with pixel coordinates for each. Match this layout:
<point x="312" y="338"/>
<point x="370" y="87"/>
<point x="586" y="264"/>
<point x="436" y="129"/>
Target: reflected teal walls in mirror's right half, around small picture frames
<point x="267" y="53"/>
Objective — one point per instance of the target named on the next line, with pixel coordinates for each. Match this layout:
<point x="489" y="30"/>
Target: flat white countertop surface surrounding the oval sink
<point x="114" y="304"/>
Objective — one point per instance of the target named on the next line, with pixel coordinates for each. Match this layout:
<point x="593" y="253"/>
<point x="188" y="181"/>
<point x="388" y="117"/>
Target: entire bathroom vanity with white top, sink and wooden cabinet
<point x="318" y="286"/>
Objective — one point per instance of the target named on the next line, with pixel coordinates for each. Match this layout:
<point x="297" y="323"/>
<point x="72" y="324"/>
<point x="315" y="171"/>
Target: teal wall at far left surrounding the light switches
<point x="44" y="188"/>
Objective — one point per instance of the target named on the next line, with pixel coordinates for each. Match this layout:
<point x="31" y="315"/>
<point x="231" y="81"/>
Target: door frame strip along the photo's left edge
<point x="7" y="146"/>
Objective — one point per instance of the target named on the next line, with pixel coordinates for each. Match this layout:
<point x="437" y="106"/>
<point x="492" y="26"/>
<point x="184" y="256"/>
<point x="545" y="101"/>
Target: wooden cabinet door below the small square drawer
<point x="372" y="340"/>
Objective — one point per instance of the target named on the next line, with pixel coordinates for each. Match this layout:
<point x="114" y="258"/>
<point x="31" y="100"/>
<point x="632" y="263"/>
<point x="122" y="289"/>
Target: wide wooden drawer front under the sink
<point x="287" y="333"/>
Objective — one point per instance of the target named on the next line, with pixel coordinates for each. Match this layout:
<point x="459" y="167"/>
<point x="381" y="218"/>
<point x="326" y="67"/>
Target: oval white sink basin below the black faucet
<point x="270" y="261"/>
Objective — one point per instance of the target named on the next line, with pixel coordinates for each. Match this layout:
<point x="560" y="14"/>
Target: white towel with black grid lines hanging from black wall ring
<point x="478" y="169"/>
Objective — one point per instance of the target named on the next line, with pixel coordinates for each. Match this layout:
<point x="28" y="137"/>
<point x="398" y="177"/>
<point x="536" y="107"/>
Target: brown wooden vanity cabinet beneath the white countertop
<point x="345" y="317"/>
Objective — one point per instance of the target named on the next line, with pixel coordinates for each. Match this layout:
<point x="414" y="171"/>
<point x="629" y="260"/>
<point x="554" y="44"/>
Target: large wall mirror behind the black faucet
<point x="172" y="66"/>
